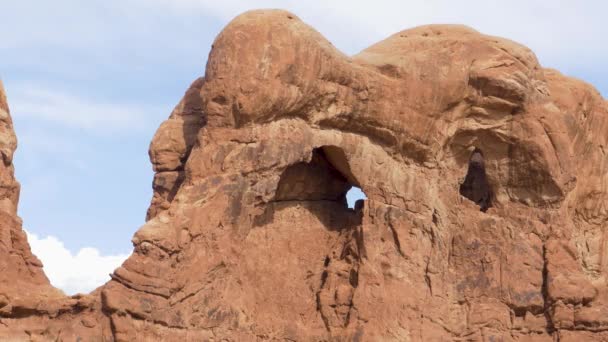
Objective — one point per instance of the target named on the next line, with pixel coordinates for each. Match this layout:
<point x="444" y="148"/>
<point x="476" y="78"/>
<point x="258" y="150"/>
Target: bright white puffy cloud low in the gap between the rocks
<point x="73" y="273"/>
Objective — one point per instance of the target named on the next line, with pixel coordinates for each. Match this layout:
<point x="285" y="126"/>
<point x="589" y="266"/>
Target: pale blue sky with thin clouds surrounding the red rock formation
<point x="89" y="82"/>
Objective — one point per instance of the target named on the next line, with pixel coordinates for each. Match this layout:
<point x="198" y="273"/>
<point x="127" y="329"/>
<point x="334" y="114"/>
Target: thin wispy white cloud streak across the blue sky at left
<point x="34" y="102"/>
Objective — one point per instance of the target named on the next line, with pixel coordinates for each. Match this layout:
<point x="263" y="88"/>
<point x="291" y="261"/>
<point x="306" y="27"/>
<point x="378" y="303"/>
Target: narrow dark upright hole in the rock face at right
<point x="476" y="186"/>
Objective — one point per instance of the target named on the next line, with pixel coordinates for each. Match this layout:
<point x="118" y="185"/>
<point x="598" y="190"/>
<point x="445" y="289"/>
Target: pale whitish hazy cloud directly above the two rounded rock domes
<point x="564" y="33"/>
